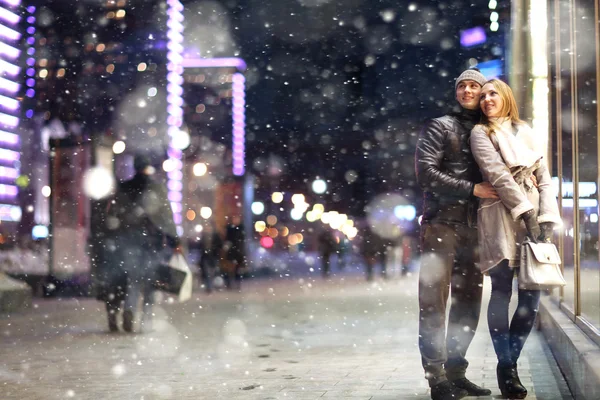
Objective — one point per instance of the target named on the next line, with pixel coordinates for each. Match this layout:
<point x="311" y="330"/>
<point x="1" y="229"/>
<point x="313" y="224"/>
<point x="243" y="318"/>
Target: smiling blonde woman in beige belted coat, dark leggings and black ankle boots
<point x="505" y="150"/>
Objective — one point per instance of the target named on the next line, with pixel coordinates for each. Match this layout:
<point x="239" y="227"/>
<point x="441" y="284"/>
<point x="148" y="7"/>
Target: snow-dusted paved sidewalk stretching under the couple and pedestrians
<point x="279" y="339"/>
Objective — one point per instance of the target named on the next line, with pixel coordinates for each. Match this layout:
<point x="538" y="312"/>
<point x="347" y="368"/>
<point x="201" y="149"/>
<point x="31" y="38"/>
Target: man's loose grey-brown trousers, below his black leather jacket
<point x="448" y="256"/>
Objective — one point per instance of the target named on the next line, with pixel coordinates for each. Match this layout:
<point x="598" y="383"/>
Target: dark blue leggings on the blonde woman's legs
<point x="509" y="340"/>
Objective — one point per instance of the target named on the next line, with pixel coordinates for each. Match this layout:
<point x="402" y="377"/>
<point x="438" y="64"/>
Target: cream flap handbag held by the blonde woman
<point x="540" y="266"/>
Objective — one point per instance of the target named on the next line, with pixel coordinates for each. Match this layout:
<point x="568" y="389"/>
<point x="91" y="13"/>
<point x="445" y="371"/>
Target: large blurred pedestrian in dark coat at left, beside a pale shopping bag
<point x="141" y="221"/>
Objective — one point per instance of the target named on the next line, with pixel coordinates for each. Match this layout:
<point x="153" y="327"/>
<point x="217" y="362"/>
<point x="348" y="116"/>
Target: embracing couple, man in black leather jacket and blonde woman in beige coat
<point x="486" y="187"/>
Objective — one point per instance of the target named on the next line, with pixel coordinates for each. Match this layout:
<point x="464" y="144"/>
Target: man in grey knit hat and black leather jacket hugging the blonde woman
<point x="451" y="182"/>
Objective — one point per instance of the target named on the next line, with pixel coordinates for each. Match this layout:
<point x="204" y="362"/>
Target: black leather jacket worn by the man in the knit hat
<point x="446" y="169"/>
